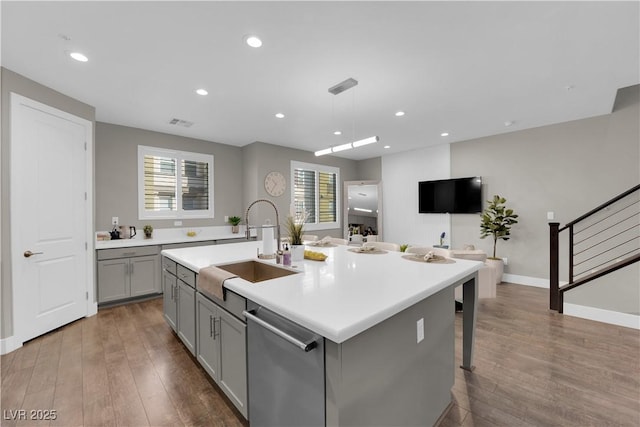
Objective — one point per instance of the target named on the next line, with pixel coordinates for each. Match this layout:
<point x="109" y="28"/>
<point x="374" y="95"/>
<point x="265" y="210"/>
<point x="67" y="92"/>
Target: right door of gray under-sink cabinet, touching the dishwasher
<point x="232" y="373"/>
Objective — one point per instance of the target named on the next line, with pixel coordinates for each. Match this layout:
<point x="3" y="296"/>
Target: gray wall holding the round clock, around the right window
<point x="260" y="158"/>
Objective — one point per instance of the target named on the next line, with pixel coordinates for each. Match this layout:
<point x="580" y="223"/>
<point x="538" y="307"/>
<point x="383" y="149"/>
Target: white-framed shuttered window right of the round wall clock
<point x="315" y="190"/>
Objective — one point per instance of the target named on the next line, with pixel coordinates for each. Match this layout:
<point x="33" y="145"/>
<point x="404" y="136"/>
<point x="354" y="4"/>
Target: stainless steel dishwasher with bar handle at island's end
<point x="286" y="371"/>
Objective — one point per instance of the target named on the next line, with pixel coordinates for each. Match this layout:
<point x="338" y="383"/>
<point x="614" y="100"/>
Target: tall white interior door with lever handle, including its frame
<point x="50" y="218"/>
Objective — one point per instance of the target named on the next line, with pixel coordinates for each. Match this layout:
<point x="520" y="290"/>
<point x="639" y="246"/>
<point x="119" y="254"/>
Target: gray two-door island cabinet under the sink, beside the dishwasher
<point x="222" y="350"/>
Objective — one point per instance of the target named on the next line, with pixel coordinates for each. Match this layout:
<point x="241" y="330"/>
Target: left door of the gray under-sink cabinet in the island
<point x="208" y="339"/>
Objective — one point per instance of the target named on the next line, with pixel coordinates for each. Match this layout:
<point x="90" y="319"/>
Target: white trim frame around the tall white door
<point x="15" y="101"/>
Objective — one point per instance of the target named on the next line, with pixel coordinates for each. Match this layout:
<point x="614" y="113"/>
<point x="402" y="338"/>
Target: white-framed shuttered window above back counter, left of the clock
<point x="174" y="184"/>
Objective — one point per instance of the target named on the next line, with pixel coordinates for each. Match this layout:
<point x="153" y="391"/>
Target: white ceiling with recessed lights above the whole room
<point x="461" y="67"/>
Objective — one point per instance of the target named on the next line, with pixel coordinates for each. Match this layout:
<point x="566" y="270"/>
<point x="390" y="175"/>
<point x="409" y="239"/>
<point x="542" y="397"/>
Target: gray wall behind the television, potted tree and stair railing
<point x="568" y="168"/>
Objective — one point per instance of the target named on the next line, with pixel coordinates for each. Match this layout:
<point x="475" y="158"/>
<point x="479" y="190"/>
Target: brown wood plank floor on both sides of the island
<point x="125" y="366"/>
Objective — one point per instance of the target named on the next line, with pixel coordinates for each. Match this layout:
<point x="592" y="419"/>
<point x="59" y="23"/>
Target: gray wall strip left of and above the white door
<point x="12" y="82"/>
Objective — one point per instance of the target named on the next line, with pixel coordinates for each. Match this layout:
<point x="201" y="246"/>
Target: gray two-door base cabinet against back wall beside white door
<point x="127" y="272"/>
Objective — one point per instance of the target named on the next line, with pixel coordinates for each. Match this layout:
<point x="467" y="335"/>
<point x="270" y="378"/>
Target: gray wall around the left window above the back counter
<point x="116" y="172"/>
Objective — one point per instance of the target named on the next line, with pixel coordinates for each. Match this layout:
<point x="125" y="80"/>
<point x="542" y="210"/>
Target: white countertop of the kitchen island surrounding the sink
<point x="337" y="298"/>
